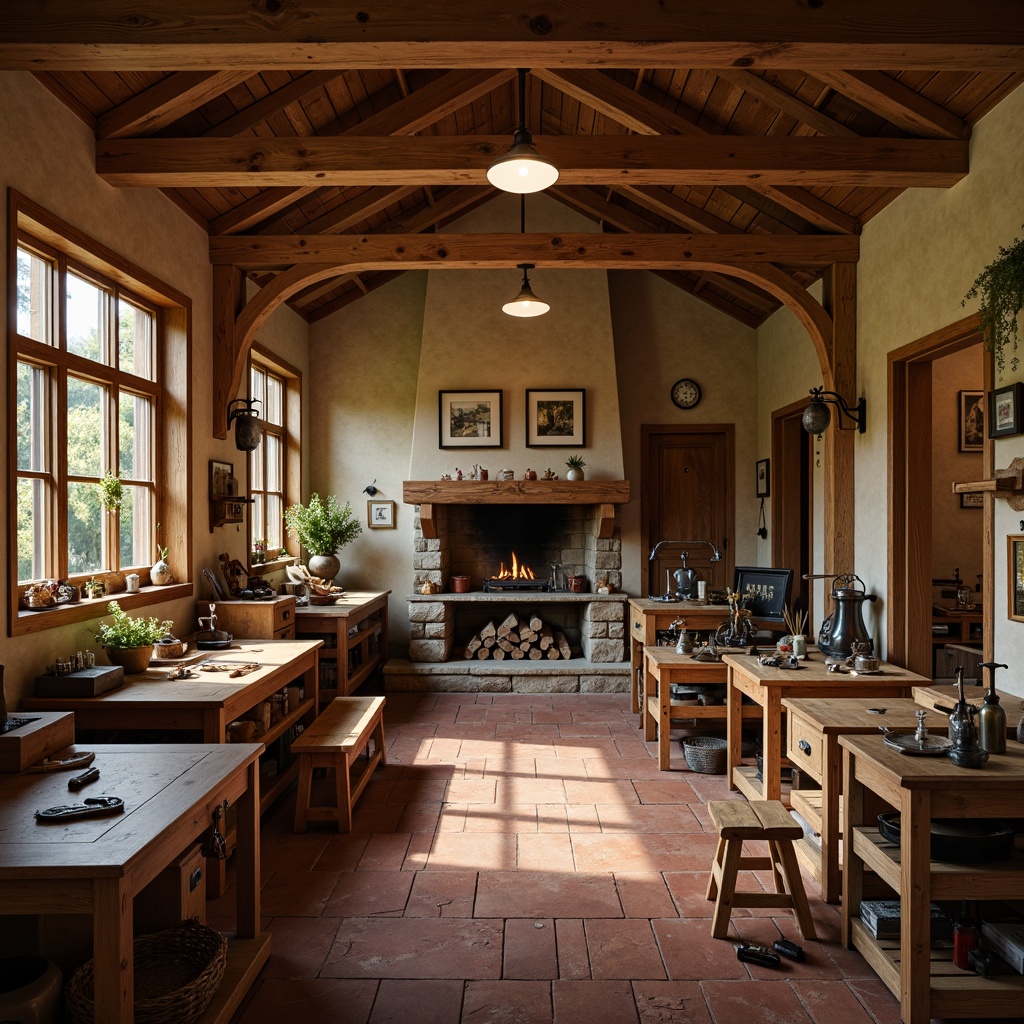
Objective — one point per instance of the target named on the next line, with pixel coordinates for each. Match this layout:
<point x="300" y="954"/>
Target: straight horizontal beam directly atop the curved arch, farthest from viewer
<point x="646" y="251"/>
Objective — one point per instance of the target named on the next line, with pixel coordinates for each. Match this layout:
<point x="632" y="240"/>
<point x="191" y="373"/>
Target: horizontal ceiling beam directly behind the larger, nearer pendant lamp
<point x="582" y="160"/>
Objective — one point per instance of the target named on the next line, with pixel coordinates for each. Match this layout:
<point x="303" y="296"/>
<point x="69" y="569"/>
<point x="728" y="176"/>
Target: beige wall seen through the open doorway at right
<point x="957" y="533"/>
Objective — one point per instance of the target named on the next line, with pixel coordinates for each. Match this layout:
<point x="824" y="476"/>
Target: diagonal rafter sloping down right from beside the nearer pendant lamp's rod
<point x="648" y="117"/>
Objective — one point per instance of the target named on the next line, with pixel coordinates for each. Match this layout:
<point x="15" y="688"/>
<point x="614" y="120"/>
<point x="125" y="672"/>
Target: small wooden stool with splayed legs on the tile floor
<point x="762" y="820"/>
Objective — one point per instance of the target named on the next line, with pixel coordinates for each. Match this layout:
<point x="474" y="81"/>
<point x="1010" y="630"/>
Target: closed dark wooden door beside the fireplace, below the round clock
<point x="688" y="494"/>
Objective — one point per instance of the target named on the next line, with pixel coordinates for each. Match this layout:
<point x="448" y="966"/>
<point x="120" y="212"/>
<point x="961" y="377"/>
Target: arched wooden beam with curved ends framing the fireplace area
<point x="459" y="252"/>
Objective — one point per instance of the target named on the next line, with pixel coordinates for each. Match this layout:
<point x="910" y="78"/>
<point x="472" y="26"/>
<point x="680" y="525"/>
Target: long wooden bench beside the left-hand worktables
<point x="336" y="738"/>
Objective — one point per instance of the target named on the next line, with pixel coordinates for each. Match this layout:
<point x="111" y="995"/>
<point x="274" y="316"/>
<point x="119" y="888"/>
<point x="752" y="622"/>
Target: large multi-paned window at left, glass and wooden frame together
<point x="93" y="344"/>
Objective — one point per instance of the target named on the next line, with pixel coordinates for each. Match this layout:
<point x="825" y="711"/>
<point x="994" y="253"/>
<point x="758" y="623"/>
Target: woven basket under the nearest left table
<point x="178" y="973"/>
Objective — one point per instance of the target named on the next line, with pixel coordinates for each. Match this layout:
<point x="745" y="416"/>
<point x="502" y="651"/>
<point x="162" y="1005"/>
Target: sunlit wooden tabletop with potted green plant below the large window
<point x="207" y="702"/>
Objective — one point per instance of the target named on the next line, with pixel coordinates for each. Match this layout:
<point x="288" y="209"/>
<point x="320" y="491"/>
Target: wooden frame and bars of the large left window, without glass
<point x="32" y="228"/>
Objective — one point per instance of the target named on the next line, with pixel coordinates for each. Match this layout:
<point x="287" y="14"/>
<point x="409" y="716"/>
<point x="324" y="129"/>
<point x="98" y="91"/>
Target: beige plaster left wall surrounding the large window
<point x="49" y="155"/>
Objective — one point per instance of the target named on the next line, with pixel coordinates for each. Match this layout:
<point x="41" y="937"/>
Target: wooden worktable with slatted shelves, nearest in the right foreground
<point x="927" y="985"/>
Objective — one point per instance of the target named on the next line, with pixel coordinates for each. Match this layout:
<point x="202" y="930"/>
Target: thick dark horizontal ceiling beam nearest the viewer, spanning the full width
<point x="200" y="34"/>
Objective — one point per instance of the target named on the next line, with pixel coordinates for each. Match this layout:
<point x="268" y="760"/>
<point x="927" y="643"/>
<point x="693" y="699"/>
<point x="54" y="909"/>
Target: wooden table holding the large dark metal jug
<point x="767" y="687"/>
